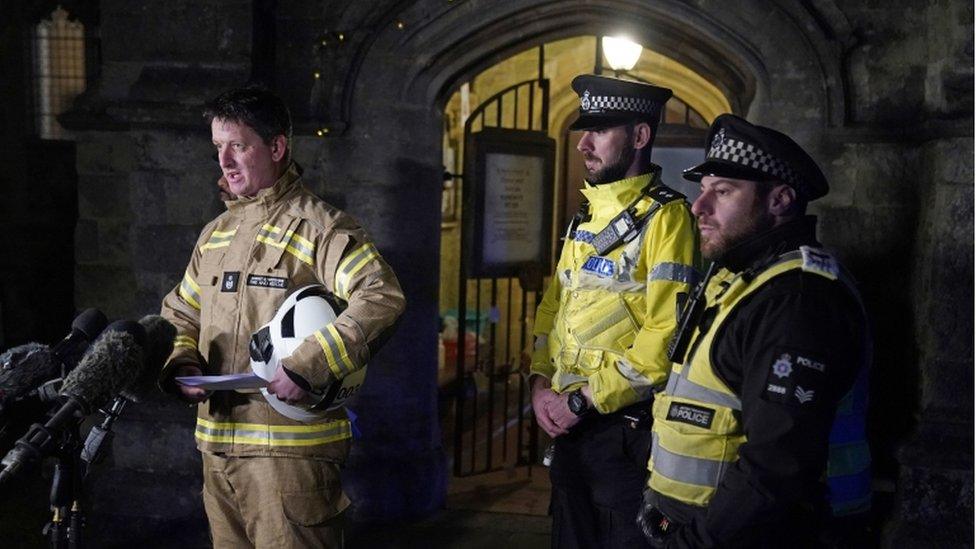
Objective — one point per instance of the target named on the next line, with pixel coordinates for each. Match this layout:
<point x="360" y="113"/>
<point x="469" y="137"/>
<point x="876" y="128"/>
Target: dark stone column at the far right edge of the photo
<point x="934" y="501"/>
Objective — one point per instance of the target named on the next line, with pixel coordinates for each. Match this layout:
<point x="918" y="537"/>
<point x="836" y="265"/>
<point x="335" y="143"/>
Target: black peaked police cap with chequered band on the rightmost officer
<point x="741" y="150"/>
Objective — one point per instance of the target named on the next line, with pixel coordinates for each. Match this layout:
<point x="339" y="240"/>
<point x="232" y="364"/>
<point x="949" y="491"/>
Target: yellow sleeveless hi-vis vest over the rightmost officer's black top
<point x="697" y="431"/>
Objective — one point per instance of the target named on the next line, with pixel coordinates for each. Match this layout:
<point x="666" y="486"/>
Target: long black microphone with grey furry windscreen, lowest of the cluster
<point x="111" y="365"/>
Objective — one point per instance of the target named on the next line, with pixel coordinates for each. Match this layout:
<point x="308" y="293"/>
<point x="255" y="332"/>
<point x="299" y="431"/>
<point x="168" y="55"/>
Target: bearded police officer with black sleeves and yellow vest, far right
<point x="777" y="338"/>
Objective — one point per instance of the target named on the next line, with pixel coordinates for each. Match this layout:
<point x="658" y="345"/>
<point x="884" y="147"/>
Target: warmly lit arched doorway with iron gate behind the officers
<point x="493" y="444"/>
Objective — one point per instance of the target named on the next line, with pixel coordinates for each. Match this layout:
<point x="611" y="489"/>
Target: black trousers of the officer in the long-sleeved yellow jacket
<point x="598" y="472"/>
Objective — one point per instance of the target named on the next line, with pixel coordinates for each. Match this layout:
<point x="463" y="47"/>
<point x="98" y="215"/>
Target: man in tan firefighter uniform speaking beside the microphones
<point x="270" y="480"/>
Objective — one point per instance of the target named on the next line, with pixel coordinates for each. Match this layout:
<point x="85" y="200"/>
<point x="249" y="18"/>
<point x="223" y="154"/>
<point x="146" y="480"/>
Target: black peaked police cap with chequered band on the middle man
<point x="607" y="102"/>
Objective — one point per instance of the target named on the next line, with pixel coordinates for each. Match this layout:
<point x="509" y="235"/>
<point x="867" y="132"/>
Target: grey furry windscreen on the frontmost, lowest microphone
<point x="111" y="364"/>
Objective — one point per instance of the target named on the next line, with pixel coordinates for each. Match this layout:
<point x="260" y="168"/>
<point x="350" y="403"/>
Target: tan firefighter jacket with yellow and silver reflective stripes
<point x="242" y="267"/>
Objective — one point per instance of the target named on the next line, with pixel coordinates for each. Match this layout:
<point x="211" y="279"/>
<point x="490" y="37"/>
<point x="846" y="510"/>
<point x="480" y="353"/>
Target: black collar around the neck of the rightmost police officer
<point x="757" y="251"/>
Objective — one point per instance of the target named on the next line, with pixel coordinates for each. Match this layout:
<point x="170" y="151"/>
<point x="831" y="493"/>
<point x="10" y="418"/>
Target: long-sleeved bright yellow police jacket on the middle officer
<point x="606" y="320"/>
